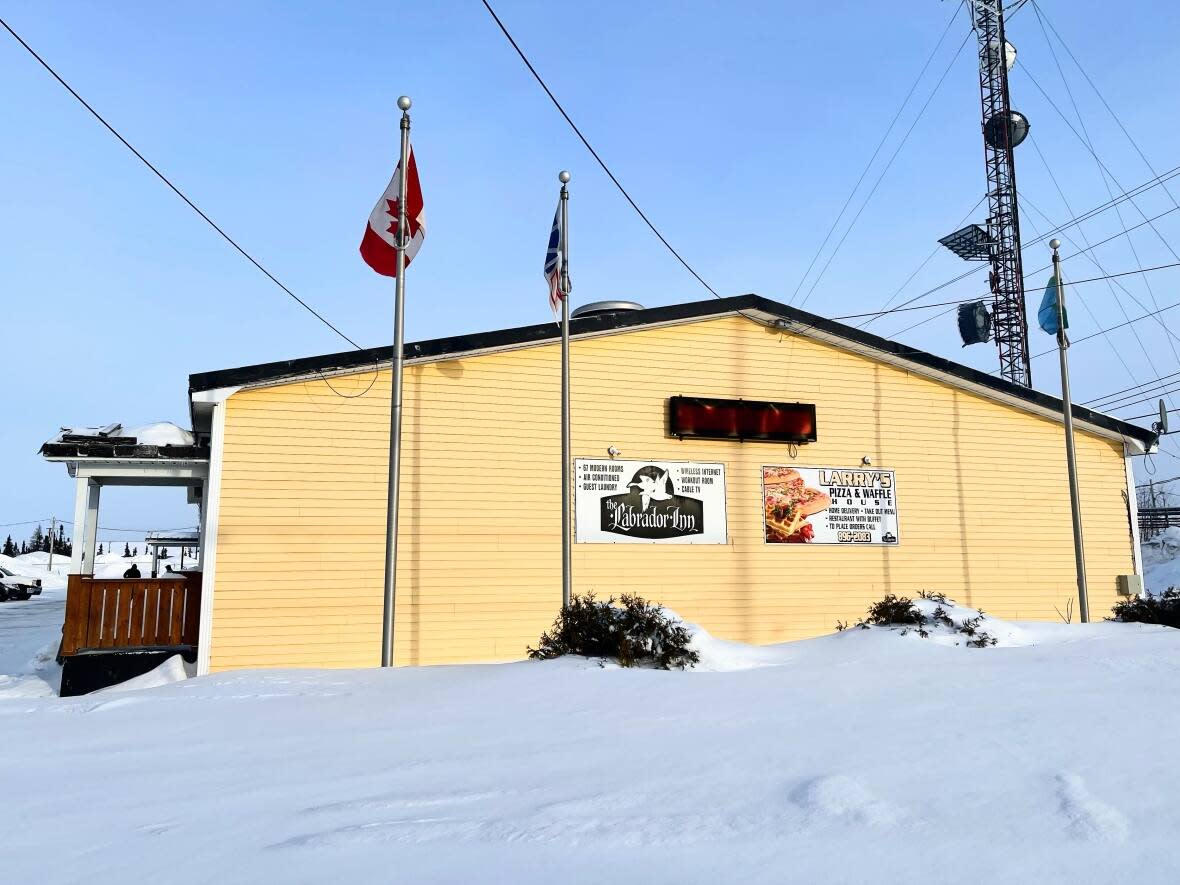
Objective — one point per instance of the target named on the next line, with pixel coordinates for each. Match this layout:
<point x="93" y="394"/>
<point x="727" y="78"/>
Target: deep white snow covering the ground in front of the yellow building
<point x="864" y="757"/>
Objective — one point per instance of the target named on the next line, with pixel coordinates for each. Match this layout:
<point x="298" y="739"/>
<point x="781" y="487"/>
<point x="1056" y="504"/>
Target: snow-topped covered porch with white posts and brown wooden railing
<point x="120" y="614"/>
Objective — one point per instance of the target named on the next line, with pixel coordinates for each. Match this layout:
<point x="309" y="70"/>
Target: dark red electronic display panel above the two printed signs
<point x="742" y="419"/>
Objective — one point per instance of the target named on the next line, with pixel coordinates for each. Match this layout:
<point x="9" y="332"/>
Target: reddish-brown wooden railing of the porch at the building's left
<point x="132" y="613"/>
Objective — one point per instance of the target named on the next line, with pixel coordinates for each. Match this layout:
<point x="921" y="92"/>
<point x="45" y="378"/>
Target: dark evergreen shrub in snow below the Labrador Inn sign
<point x="633" y="632"/>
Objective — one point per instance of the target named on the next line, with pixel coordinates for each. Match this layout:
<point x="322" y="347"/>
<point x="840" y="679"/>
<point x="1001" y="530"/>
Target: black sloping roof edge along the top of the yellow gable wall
<point x="541" y="333"/>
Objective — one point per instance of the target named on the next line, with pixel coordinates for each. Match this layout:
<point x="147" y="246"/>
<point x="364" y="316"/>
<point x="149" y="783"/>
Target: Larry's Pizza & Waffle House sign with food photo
<point x="830" y="506"/>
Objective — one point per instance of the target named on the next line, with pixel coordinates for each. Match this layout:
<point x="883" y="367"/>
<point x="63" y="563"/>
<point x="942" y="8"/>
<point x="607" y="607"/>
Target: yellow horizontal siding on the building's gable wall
<point x="981" y="488"/>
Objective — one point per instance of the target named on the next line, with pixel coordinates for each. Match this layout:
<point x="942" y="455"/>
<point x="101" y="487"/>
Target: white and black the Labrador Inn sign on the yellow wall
<point x="650" y="502"/>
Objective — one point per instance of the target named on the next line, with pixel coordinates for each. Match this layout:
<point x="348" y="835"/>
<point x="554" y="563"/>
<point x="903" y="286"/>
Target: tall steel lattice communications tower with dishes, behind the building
<point x="1000" y="241"/>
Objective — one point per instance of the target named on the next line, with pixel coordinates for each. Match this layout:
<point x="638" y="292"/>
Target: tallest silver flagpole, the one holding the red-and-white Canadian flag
<point x="399" y="303"/>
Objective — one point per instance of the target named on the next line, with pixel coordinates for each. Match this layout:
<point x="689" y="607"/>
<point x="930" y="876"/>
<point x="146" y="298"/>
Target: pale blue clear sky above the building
<point x="740" y="128"/>
